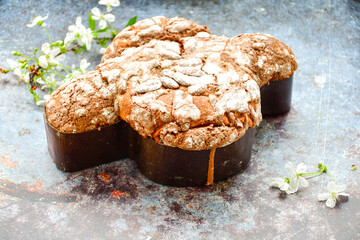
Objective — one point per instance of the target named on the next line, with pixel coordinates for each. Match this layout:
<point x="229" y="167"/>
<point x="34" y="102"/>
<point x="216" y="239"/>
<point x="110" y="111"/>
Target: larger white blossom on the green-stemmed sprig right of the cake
<point x="296" y="179"/>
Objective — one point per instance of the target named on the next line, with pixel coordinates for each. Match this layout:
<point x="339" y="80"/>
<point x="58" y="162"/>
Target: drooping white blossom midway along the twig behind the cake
<point x="85" y="34"/>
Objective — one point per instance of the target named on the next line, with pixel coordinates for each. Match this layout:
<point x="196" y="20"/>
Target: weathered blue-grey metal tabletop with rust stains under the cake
<point x="114" y="201"/>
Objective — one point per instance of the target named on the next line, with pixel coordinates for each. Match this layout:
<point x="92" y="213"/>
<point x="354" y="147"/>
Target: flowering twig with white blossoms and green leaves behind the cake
<point x="45" y="69"/>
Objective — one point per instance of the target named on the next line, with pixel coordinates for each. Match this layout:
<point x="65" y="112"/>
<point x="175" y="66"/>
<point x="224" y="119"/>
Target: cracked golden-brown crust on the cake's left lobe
<point x="81" y="105"/>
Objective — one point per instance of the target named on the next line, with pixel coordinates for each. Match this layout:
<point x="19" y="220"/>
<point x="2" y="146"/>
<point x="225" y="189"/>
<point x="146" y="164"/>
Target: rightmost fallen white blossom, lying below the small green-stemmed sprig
<point x="335" y="190"/>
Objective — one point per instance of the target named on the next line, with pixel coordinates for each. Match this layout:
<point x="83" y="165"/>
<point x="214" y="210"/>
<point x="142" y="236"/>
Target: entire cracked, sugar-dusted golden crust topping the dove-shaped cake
<point x="175" y="83"/>
